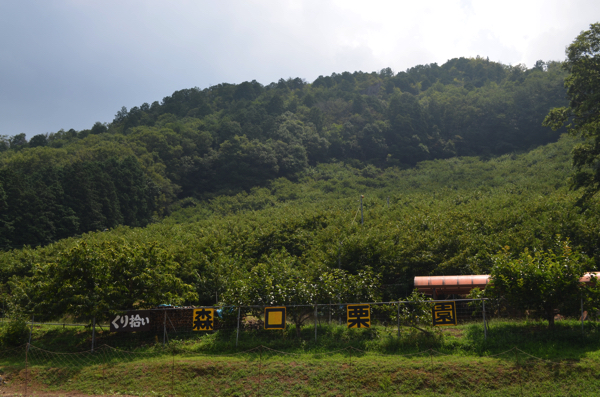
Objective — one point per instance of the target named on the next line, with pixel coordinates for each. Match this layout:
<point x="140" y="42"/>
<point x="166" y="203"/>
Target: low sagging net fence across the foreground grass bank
<point x="31" y="370"/>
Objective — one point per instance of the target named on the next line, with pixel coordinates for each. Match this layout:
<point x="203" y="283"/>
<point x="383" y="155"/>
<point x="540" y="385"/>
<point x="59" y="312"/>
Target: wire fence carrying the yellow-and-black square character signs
<point x="232" y="324"/>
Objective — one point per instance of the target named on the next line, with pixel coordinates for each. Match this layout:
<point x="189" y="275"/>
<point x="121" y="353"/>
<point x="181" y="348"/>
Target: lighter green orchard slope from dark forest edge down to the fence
<point x="303" y="242"/>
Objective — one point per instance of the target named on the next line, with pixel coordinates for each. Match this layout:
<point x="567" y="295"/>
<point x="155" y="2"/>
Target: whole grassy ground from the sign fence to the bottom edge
<point x="451" y="361"/>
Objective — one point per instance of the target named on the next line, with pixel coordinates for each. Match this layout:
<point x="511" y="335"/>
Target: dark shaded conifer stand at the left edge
<point x="48" y="202"/>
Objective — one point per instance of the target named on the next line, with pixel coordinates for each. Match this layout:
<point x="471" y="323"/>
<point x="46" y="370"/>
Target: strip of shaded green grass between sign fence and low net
<point x="565" y="341"/>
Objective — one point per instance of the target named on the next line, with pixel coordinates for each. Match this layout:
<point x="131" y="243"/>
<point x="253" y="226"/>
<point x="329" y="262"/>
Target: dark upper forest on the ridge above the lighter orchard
<point x="242" y="146"/>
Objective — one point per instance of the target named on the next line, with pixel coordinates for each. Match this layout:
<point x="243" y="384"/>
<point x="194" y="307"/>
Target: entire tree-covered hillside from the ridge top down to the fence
<point x="247" y="193"/>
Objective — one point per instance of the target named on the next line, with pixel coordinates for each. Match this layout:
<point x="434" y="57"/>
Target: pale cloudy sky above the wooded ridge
<point x="69" y="63"/>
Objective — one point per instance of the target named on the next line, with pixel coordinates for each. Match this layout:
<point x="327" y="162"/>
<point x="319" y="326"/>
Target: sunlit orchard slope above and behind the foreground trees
<point x="444" y="217"/>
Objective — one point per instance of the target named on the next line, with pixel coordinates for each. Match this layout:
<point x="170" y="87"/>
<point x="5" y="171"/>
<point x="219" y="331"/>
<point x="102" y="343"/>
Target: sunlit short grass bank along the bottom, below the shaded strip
<point x="340" y="374"/>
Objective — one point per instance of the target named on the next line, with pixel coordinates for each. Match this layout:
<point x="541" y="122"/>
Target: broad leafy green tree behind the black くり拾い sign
<point x="95" y="280"/>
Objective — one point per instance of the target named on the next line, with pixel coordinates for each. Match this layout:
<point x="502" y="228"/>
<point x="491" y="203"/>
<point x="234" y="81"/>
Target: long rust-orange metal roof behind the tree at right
<point x="464" y="284"/>
